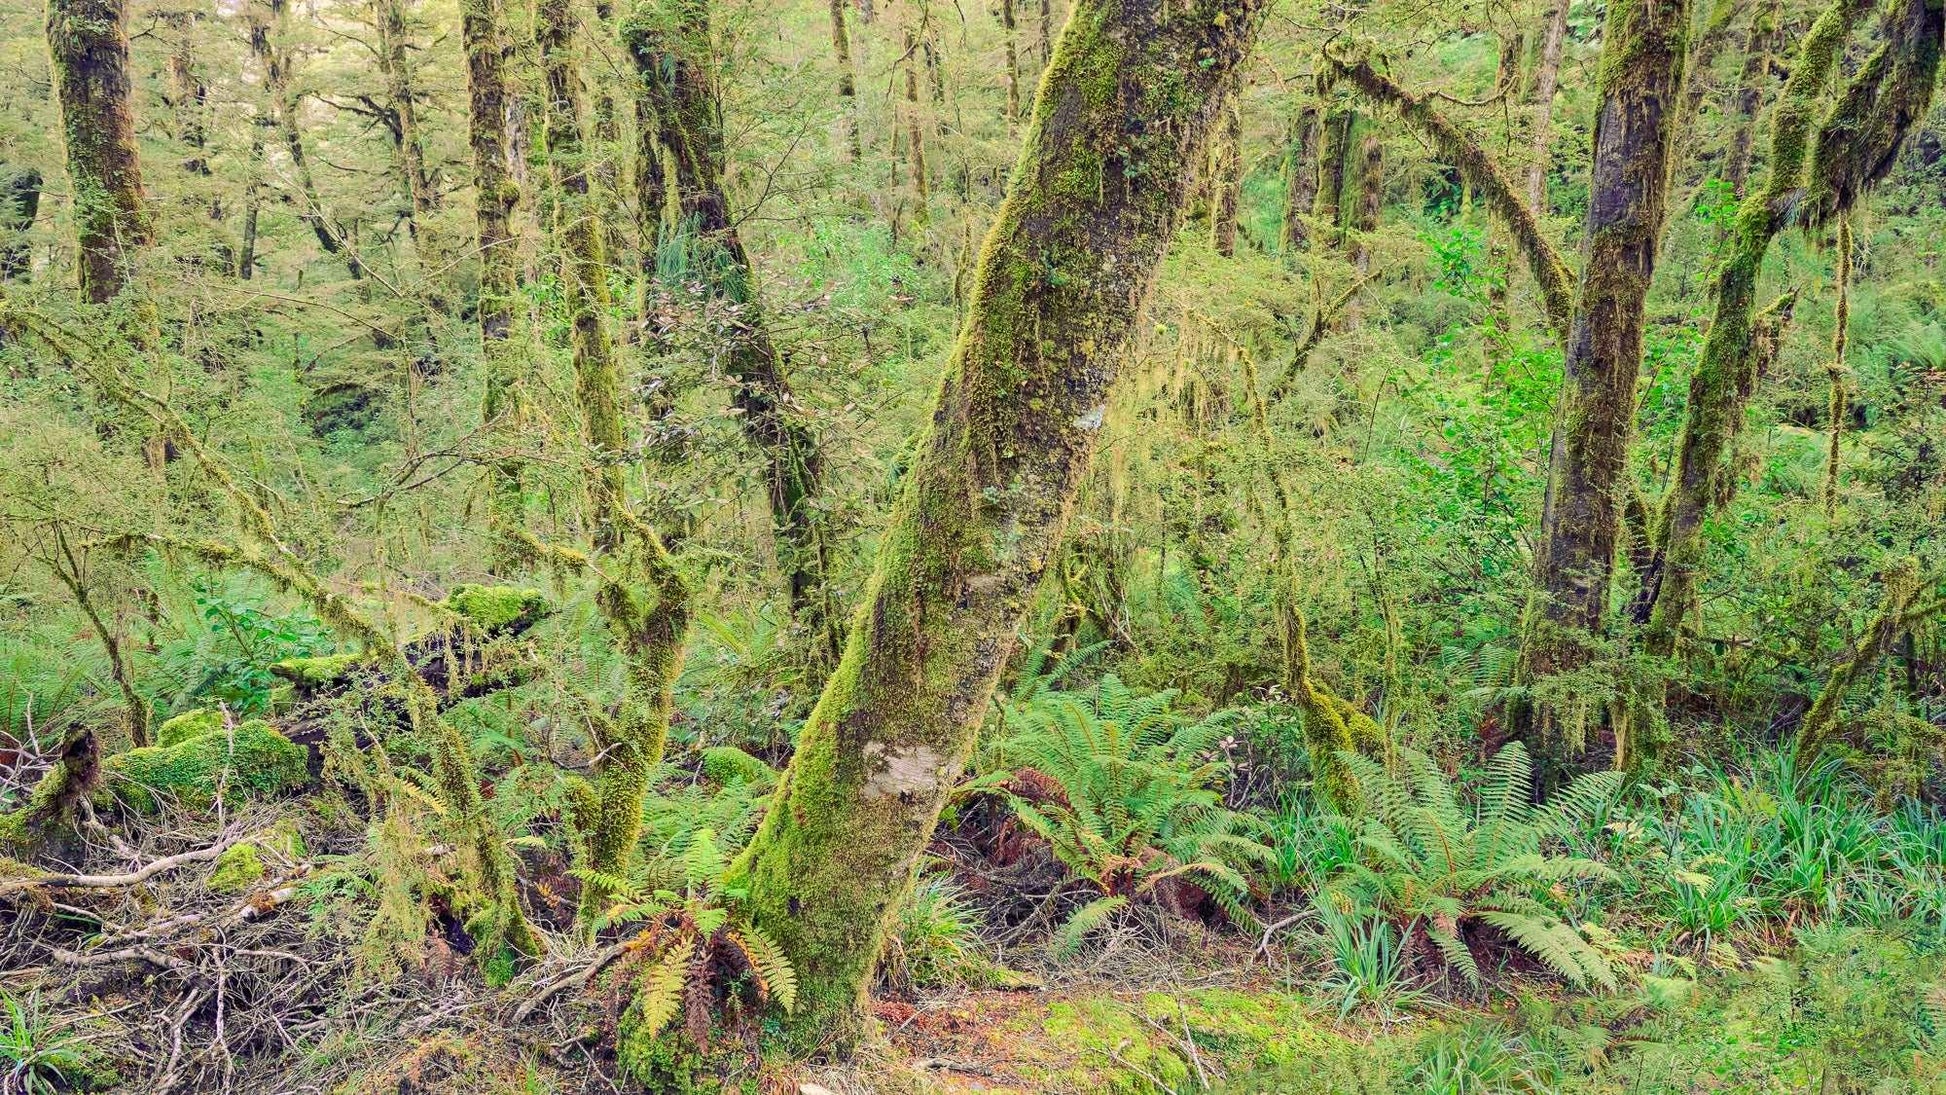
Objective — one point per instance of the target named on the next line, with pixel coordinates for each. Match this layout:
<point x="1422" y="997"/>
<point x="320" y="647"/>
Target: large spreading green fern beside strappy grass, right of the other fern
<point x="1451" y="872"/>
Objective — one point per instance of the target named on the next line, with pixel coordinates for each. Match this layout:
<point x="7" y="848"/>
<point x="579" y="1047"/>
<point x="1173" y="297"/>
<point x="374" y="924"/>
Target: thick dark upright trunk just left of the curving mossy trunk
<point x="1595" y="417"/>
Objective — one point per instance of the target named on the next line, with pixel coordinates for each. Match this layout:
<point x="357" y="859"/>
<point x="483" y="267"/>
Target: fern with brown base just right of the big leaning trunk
<point x="1128" y="796"/>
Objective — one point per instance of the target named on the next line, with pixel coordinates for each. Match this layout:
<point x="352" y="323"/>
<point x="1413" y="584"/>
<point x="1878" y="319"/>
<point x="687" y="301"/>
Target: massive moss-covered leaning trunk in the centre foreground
<point x="1122" y="118"/>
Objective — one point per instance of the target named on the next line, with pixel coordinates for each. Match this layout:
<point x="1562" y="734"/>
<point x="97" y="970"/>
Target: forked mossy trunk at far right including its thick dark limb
<point x="1813" y="180"/>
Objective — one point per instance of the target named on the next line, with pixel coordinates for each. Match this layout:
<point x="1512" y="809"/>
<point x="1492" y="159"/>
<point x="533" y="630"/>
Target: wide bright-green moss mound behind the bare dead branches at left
<point x="248" y="761"/>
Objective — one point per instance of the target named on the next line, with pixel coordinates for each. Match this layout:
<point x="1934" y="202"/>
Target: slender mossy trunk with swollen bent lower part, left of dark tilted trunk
<point x="641" y="594"/>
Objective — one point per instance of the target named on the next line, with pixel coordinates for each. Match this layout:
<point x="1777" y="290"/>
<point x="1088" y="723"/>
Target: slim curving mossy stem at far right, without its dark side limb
<point x="1723" y="380"/>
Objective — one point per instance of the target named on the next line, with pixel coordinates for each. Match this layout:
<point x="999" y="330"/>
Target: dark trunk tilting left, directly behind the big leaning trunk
<point x="670" y="44"/>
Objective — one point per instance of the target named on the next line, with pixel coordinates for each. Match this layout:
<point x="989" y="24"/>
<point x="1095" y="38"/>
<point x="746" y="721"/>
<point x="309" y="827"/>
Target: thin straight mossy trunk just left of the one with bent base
<point x="495" y="197"/>
